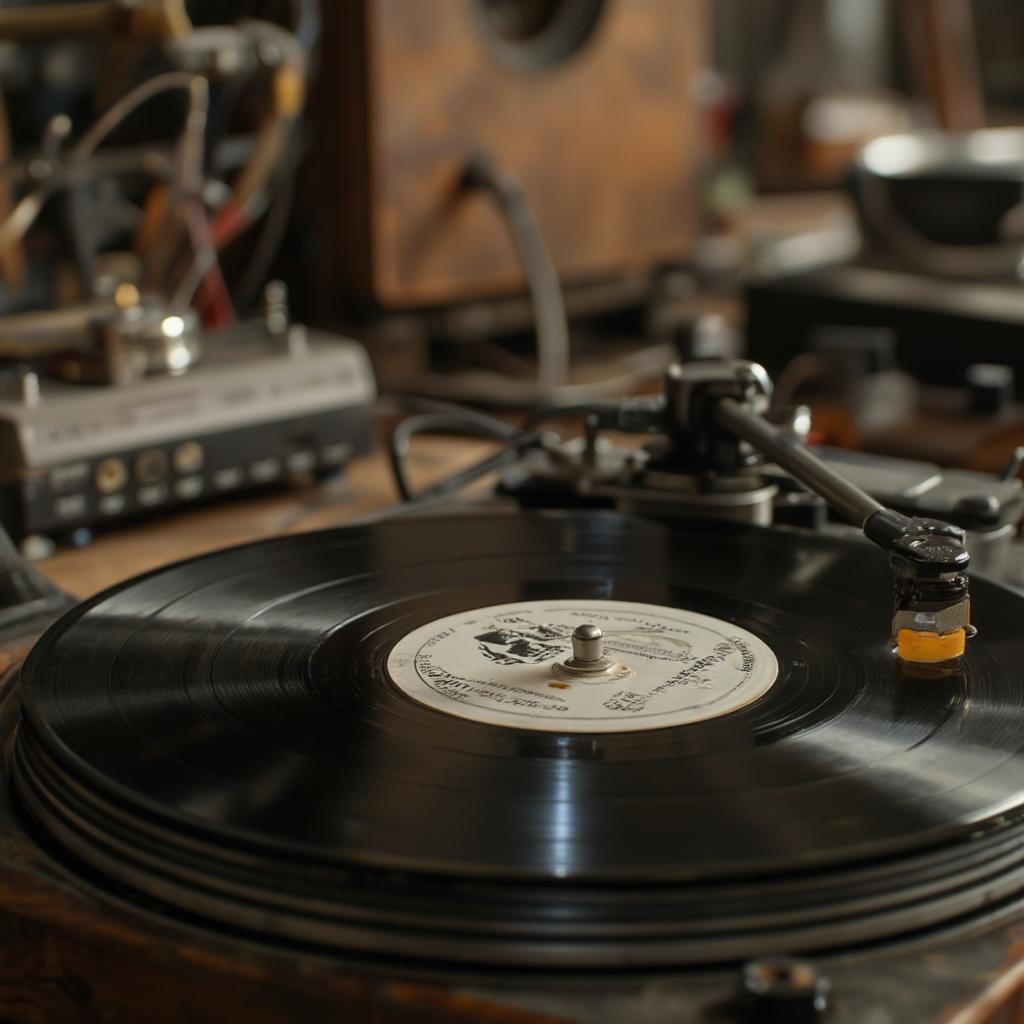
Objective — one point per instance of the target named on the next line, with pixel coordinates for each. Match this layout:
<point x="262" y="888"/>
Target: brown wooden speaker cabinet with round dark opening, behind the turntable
<point x="589" y="104"/>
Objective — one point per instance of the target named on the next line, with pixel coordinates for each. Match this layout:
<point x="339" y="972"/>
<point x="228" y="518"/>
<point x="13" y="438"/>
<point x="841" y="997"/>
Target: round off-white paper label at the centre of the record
<point x="500" y="665"/>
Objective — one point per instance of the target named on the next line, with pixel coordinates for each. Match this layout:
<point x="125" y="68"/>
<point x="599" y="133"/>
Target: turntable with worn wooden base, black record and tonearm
<point x="546" y="766"/>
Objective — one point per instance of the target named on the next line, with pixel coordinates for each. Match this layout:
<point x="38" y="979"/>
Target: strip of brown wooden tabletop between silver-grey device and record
<point x="365" y="488"/>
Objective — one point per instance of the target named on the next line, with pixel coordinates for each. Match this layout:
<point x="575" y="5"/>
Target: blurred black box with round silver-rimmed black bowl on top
<point x="944" y="226"/>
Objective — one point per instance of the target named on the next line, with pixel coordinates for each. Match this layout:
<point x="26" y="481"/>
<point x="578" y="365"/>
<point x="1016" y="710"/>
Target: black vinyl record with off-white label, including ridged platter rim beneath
<point x="362" y="740"/>
